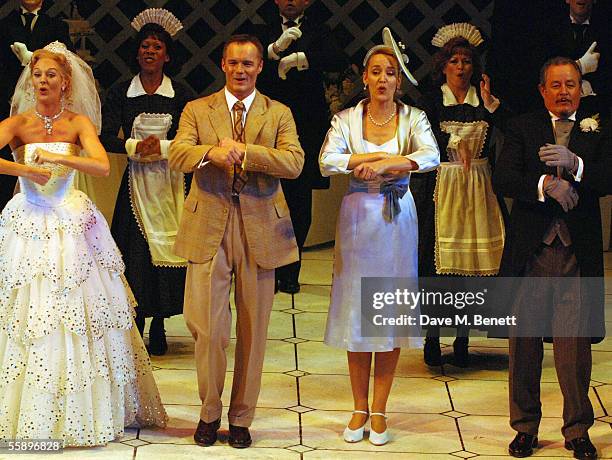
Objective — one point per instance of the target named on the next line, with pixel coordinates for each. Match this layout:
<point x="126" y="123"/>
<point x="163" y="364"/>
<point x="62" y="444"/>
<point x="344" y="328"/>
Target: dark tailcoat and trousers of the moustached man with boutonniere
<point x="517" y="174"/>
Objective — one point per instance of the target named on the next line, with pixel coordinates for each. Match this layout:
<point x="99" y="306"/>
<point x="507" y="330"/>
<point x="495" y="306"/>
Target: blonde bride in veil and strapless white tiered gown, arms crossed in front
<point x="72" y="364"/>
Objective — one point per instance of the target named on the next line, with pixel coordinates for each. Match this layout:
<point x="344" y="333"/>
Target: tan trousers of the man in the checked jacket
<point x="208" y="317"/>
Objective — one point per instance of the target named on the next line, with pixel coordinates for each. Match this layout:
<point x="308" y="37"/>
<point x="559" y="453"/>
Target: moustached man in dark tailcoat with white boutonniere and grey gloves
<point x="555" y="164"/>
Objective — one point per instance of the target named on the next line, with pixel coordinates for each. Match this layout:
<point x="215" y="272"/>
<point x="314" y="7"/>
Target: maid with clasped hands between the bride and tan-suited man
<point x="147" y="109"/>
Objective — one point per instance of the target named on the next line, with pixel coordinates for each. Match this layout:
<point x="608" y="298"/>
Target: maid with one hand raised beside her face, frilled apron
<point x="461" y="224"/>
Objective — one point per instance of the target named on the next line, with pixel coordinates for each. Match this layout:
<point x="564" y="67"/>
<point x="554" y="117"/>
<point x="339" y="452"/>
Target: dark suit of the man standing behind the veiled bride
<point x="46" y="29"/>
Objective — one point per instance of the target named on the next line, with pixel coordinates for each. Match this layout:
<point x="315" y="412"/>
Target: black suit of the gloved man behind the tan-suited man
<point x="303" y="92"/>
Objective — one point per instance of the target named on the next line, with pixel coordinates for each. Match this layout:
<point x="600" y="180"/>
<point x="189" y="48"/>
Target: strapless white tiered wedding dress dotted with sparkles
<point x="72" y="363"/>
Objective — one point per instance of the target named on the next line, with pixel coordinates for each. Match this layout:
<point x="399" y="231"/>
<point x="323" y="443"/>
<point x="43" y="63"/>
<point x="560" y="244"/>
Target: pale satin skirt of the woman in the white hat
<point x="368" y="246"/>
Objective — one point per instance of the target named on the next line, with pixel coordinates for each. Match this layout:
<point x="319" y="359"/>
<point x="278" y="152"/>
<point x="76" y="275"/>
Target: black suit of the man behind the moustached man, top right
<point x="525" y="42"/>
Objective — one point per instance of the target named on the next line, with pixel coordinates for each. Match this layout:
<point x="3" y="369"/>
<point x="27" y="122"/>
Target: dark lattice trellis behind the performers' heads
<point x="207" y="24"/>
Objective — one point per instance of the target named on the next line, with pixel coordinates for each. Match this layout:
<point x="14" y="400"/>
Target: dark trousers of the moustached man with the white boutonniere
<point x="572" y="355"/>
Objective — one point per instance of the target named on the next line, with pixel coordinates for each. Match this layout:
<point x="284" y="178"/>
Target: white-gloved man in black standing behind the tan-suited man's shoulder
<point x="297" y="52"/>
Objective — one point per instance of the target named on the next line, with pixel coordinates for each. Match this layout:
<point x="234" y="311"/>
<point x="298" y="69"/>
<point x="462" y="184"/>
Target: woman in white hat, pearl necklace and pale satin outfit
<point x="380" y="141"/>
